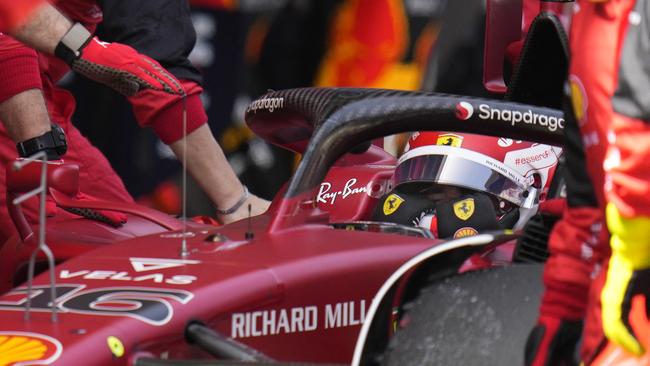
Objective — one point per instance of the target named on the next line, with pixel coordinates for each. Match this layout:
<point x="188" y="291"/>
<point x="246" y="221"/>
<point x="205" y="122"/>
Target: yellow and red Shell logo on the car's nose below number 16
<point x="23" y="348"/>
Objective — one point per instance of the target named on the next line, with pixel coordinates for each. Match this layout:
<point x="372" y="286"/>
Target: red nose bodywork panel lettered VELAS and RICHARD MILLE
<point x="316" y="271"/>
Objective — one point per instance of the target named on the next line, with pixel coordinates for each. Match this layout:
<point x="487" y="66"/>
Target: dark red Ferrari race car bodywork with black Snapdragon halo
<point x="294" y="284"/>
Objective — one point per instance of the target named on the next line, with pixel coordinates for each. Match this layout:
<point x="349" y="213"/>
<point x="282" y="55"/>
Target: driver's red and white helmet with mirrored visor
<point x="516" y="174"/>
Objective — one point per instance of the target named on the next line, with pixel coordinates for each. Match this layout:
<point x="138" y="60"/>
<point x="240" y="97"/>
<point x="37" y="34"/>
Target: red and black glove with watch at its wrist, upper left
<point x="115" y="65"/>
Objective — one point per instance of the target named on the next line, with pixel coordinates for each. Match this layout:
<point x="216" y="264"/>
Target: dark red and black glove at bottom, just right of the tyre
<point x="553" y="342"/>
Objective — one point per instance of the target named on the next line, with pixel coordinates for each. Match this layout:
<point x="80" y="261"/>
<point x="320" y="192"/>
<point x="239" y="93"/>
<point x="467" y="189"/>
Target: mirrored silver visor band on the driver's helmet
<point x="460" y="172"/>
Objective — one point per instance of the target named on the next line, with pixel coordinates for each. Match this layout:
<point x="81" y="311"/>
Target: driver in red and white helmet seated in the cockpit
<point x="457" y="185"/>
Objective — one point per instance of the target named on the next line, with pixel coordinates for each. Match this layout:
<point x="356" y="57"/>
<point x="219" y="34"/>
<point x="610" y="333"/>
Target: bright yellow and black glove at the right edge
<point x="628" y="275"/>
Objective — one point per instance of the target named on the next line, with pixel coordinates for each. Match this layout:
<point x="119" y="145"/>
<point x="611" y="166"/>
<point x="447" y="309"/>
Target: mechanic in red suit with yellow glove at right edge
<point x="609" y="47"/>
